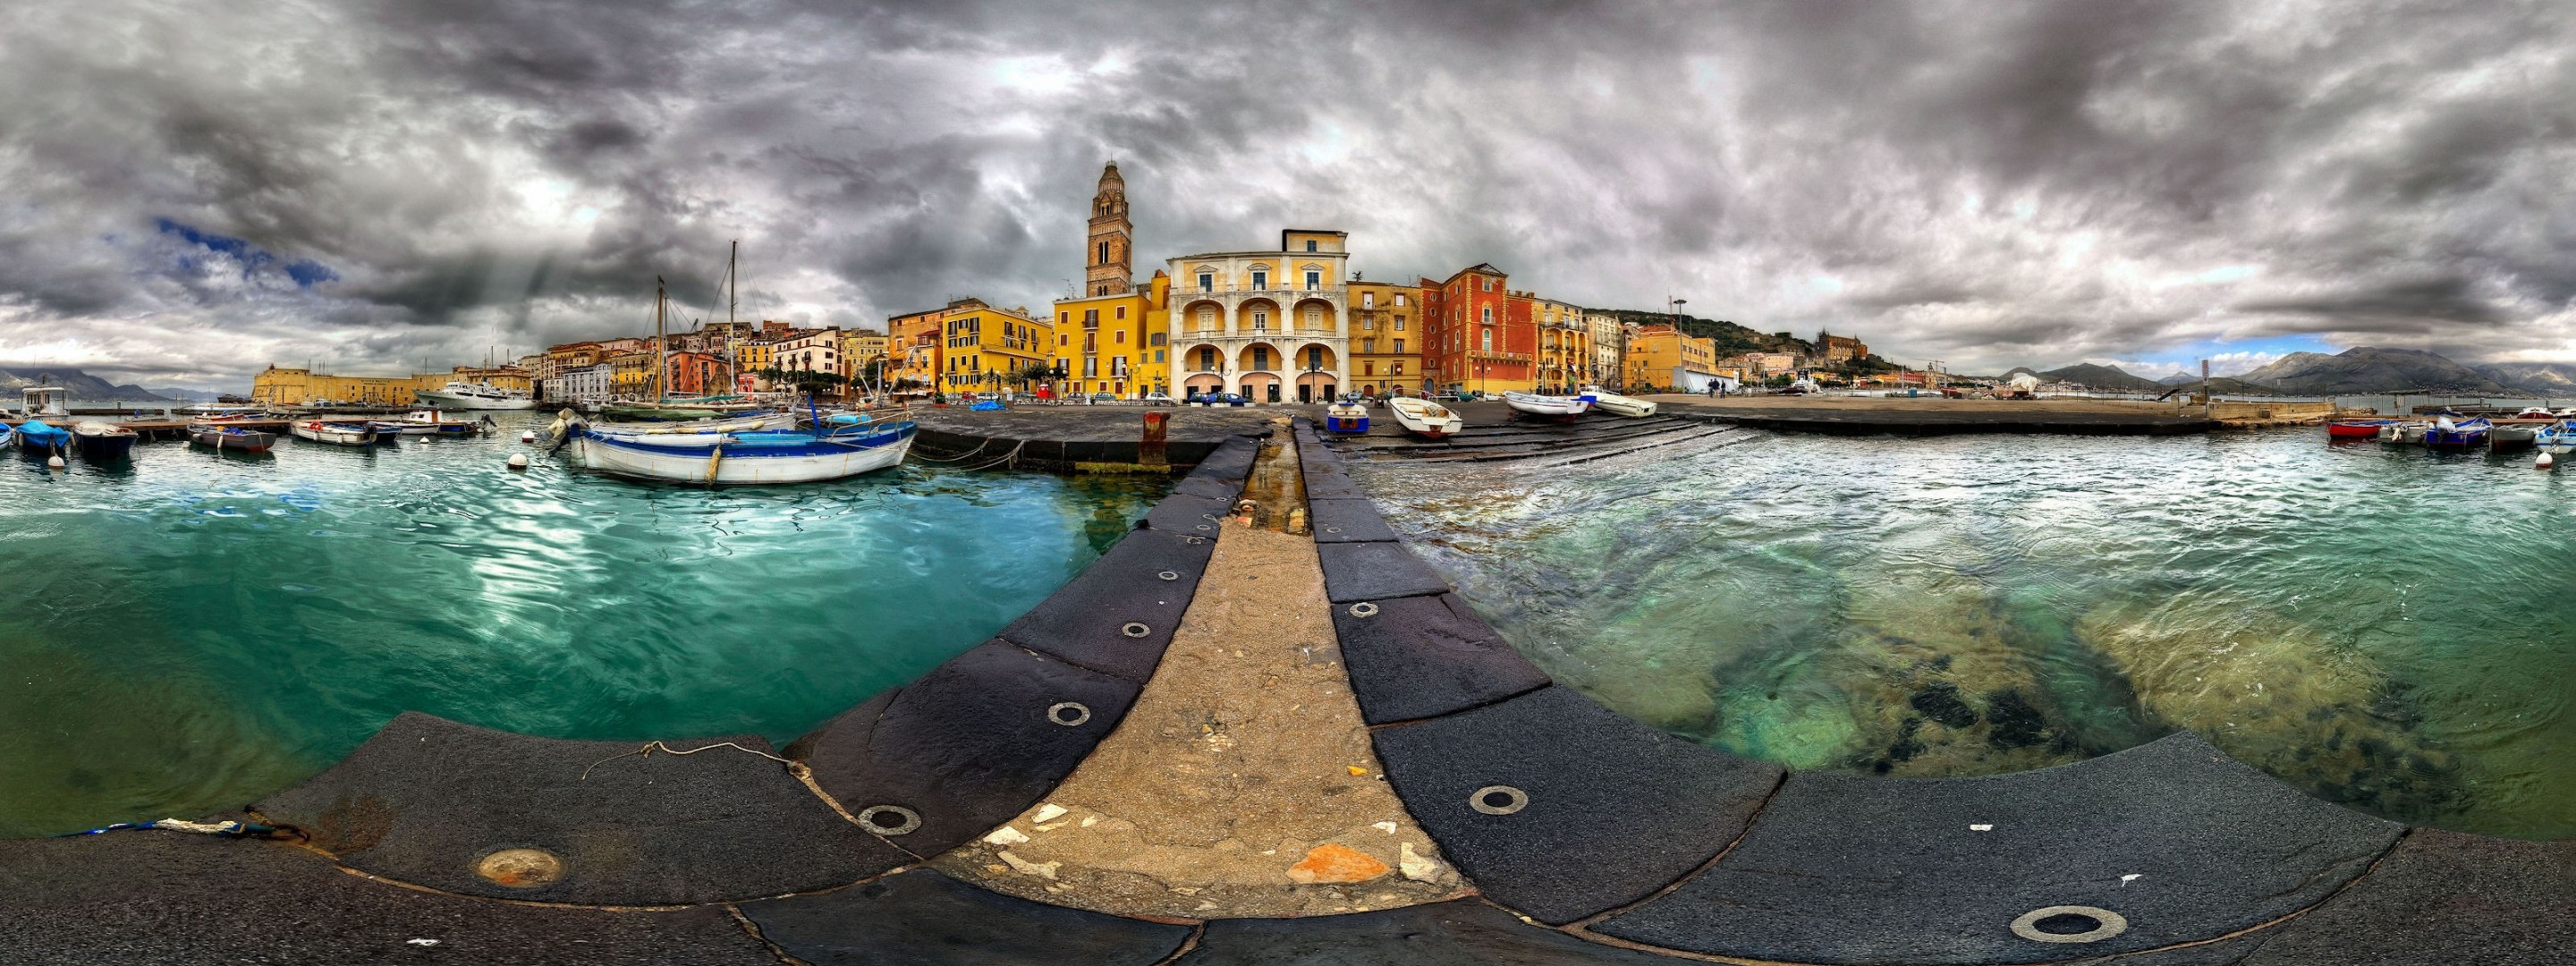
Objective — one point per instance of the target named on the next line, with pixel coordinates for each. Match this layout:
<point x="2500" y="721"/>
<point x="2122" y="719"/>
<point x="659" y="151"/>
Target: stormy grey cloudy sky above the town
<point x="197" y="189"/>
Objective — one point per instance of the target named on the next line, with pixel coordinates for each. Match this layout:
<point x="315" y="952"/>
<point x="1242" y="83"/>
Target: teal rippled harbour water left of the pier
<point x="194" y="630"/>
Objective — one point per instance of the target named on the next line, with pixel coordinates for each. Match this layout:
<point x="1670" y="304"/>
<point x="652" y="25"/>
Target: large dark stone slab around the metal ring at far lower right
<point x="1848" y="869"/>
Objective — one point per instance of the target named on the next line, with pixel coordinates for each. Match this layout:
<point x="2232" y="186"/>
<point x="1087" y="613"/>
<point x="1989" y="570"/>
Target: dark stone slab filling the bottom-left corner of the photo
<point x="197" y="900"/>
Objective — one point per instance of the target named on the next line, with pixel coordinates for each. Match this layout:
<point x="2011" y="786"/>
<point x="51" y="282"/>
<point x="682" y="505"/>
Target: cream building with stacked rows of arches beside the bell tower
<point x="1269" y="326"/>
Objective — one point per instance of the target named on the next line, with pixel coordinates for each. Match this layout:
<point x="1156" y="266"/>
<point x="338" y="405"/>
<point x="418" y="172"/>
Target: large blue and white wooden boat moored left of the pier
<point x="761" y="457"/>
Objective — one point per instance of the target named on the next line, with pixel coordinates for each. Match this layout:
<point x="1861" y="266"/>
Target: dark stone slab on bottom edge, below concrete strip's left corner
<point x="929" y="918"/>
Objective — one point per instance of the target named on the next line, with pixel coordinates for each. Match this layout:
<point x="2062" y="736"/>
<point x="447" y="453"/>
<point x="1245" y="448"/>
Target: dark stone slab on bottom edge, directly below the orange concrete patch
<point x="1444" y="934"/>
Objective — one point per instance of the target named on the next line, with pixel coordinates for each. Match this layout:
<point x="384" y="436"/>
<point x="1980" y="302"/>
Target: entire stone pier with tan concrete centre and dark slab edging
<point x="1570" y="836"/>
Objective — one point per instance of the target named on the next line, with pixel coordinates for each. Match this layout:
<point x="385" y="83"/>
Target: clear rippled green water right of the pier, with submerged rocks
<point x="2382" y="627"/>
